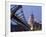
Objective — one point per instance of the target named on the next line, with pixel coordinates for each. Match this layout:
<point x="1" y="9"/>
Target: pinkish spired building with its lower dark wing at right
<point x="34" y="25"/>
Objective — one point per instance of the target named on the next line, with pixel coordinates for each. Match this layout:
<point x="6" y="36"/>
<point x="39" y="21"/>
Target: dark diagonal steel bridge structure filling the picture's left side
<point x="18" y="21"/>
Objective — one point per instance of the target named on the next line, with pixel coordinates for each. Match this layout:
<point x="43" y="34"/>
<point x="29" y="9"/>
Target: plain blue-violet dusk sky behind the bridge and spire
<point x="28" y="10"/>
